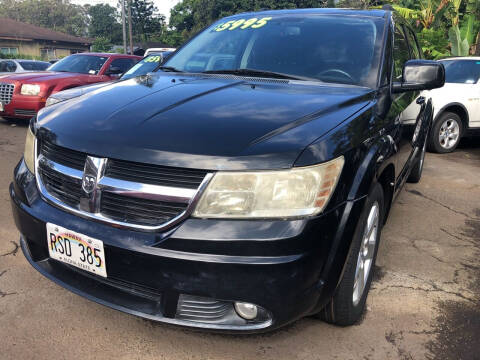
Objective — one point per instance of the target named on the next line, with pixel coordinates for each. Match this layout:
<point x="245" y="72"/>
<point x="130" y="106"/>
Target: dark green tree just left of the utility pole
<point x="104" y="22"/>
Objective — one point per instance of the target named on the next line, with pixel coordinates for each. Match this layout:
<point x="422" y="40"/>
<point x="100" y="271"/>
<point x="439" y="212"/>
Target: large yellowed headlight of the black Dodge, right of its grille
<point x="270" y="194"/>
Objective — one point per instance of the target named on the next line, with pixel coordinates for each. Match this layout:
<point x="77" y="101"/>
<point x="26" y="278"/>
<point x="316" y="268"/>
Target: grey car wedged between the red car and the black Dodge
<point x="143" y="67"/>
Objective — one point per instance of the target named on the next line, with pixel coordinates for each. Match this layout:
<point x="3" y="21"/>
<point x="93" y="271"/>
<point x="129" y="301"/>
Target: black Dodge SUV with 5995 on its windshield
<point x="244" y="184"/>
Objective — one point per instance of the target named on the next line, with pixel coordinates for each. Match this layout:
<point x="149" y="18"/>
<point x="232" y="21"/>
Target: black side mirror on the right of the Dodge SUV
<point x="420" y="75"/>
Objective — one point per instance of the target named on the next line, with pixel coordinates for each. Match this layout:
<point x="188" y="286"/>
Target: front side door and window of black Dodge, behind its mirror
<point x="406" y="140"/>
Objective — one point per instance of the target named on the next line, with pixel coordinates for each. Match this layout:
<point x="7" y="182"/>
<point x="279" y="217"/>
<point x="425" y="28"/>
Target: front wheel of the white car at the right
<point x="446" y="133"/>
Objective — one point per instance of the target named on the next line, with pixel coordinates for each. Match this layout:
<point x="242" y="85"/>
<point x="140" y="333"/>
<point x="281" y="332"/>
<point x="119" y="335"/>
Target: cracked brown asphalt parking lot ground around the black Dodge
<point x="424" y="303"/>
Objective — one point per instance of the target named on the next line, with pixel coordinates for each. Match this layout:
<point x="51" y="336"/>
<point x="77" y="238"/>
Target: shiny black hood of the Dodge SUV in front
<point x="207" y="122"/>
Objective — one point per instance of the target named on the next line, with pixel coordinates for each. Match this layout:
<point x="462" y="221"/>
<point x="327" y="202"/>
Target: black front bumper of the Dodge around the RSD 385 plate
<point x="288" y="268"/>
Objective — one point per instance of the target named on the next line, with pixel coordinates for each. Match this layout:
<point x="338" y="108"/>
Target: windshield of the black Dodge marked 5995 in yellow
<point x="329" y="48"/>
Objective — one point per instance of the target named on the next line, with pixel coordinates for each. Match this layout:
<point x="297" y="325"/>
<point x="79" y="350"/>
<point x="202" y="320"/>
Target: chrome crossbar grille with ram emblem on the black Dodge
<point x="145" y="197"/>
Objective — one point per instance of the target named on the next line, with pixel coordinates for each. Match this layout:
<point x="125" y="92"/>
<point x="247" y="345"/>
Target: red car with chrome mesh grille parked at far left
<point x="23" y="95"/>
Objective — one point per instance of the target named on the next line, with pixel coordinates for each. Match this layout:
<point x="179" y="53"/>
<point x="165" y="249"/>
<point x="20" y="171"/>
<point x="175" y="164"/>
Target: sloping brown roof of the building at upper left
<point x="16" y="30"/>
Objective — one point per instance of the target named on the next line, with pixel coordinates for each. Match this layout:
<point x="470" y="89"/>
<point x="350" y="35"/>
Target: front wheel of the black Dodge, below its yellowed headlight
<point x="348" y="303"/>
